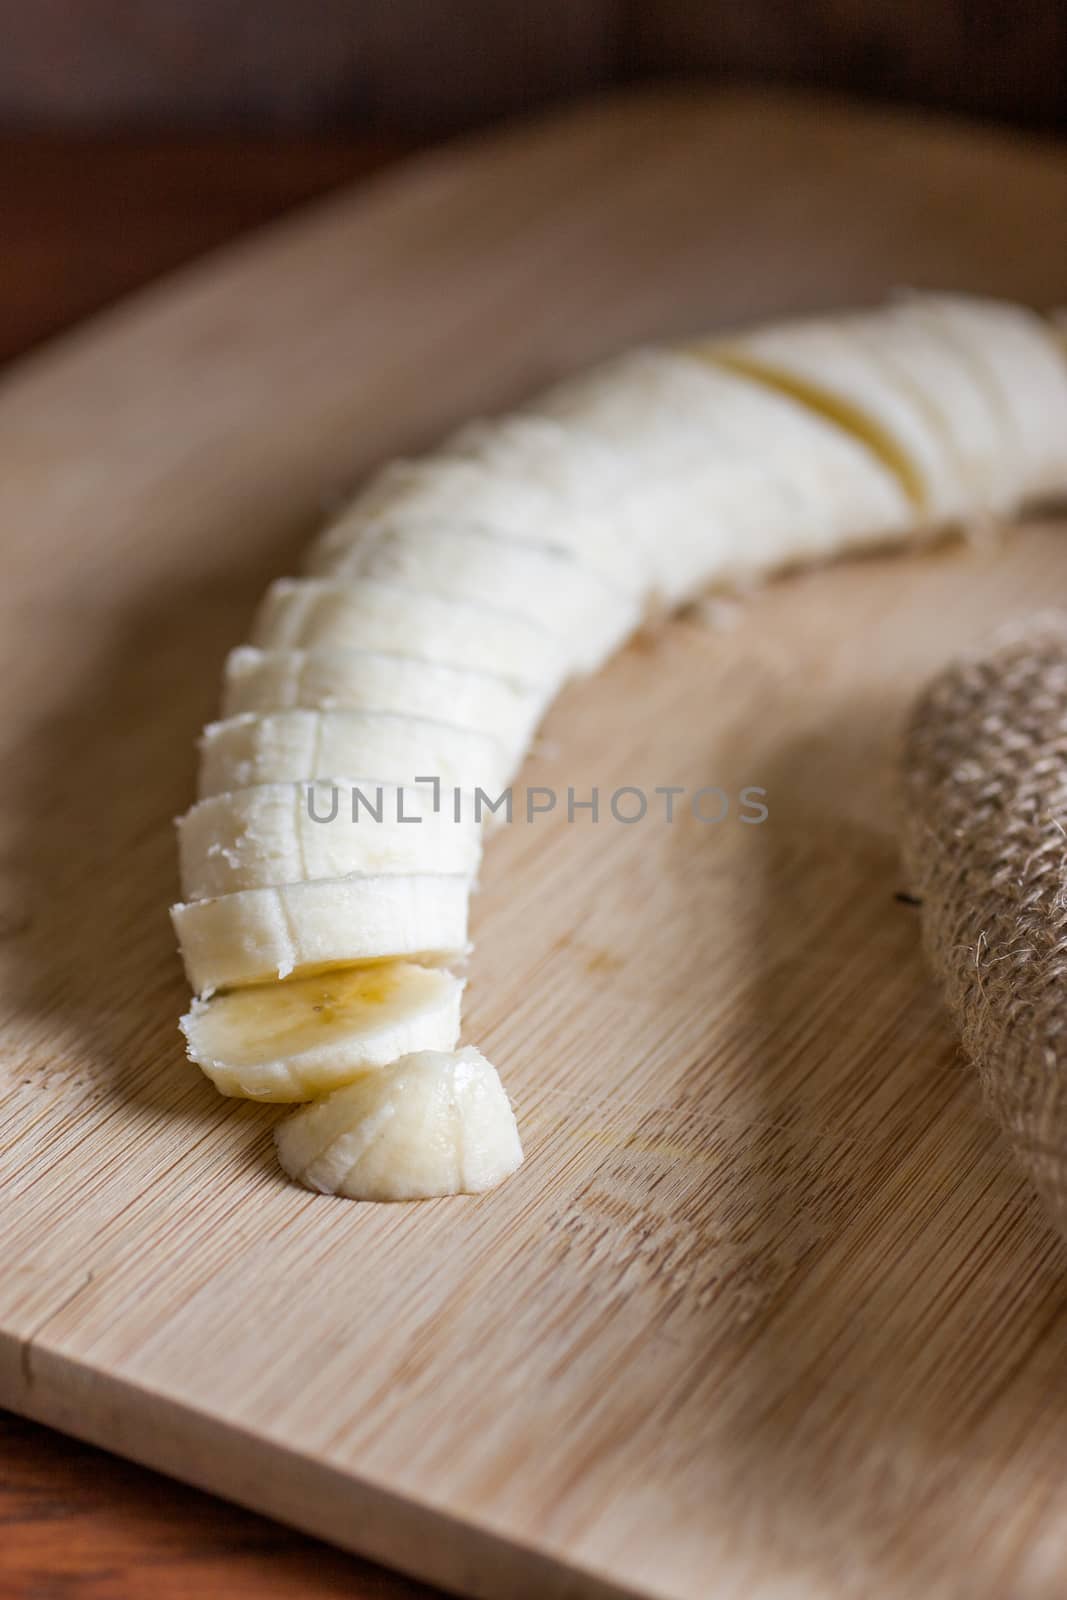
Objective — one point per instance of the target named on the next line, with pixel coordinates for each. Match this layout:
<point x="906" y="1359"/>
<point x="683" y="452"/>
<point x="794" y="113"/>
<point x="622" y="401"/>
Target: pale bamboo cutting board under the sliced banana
<point x="767" y="1311"/>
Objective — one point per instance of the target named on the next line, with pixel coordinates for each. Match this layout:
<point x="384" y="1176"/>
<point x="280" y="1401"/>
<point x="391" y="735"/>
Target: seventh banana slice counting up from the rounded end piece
<point x="319" y="614"/>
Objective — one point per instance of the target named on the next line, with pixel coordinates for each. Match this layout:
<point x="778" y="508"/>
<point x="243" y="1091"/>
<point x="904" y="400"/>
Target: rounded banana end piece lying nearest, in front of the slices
<point x="428" y="1126"/>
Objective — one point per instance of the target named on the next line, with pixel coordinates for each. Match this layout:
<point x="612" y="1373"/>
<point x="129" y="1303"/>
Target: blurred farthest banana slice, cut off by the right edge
<point x="1028" y="369"/>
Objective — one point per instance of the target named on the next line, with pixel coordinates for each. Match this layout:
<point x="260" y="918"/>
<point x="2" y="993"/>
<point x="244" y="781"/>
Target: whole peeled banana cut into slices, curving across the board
<point x="447" y="606"/>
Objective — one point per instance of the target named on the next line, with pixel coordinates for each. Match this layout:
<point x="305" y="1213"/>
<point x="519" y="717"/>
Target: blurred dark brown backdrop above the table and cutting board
<point x="433" y="66"/>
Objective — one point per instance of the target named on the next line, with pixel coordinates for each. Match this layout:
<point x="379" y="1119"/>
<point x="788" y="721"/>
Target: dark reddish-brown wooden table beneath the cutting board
<point x="86" y="223"/>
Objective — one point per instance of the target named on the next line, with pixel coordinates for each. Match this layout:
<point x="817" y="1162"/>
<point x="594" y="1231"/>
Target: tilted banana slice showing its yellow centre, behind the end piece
<point x="308" y="1036"/>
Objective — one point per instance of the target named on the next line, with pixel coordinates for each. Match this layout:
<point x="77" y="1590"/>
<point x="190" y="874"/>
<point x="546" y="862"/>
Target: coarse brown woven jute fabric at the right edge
<point x="986" y="850"/>
